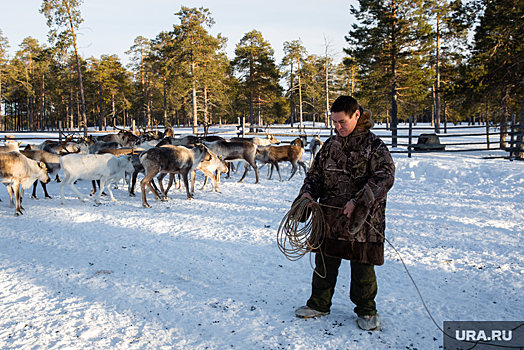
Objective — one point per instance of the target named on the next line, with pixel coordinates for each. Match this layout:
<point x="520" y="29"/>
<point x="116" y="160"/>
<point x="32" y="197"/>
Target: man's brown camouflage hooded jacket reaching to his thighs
<point x="357" y="167"/>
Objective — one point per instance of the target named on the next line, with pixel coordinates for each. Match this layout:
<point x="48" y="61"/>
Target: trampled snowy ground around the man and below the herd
<point x="207" y="273"/>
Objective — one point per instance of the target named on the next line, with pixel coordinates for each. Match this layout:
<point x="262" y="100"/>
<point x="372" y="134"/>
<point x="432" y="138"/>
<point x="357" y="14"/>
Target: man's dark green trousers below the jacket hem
<point x="363" y="287"/>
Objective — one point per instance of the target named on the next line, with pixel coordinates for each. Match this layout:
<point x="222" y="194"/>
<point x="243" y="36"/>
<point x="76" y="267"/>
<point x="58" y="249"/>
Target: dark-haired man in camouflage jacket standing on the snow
<point x="353" y="171"/>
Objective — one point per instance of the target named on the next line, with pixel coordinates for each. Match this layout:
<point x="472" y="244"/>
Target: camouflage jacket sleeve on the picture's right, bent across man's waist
<point x="382" y="169"/>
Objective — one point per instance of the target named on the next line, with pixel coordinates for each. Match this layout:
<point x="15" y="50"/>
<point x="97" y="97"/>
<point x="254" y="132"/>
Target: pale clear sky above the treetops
<point x="110" y="27"/>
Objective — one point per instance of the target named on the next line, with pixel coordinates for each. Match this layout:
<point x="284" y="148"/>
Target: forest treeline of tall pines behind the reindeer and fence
<point x="434" y="60"/>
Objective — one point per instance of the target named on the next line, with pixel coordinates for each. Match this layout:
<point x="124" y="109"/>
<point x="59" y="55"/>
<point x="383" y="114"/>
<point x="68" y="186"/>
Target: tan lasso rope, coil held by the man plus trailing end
<point x="294" y="242"/>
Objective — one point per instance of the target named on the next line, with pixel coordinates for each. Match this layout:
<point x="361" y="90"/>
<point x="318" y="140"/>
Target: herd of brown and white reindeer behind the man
<point x="107" y="159"/>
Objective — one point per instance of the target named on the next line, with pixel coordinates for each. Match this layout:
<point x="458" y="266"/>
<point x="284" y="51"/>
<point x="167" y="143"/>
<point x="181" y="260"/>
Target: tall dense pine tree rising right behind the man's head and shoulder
<point x="388" y="45"/>
